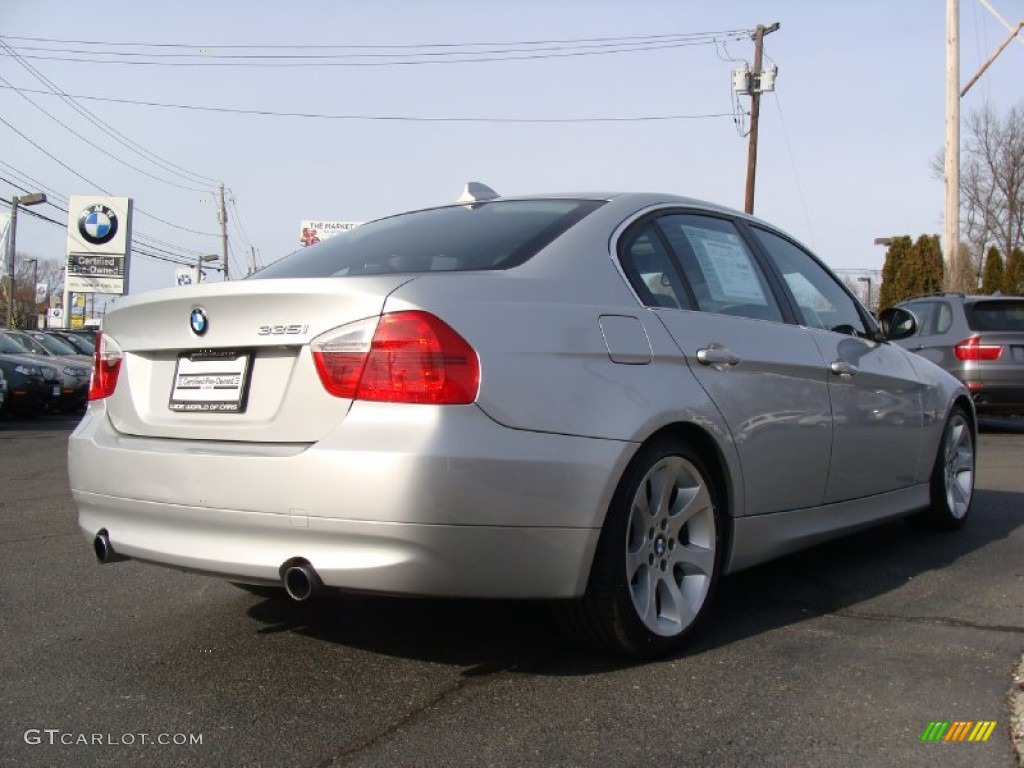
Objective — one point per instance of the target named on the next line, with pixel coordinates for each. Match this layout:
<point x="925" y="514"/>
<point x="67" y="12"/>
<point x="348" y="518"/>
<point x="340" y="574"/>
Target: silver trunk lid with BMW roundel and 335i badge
<point x="232" y="361"/>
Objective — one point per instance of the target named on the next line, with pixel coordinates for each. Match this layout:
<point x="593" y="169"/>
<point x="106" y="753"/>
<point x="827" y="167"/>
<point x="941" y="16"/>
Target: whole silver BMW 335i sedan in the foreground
<point x="606" y="401"/>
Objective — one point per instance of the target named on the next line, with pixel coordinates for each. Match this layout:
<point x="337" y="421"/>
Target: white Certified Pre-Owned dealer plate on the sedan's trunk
<point x="211" y="380"/>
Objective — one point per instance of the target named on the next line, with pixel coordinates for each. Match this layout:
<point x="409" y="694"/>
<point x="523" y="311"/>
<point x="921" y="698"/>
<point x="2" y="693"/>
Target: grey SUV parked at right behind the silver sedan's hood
<point x="978" y="339"/>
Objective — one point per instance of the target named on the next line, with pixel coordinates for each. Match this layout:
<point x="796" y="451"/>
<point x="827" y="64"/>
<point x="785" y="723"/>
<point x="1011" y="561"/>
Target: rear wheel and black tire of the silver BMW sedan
<point x="657" y="566"/>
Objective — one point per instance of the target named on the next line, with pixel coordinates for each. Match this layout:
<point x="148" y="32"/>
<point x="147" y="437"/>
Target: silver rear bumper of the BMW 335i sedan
<point x="403" y="500"/>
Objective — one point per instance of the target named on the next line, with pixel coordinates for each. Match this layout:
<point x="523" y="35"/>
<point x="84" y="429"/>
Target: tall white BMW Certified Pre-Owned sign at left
<point x="99" y="244"/>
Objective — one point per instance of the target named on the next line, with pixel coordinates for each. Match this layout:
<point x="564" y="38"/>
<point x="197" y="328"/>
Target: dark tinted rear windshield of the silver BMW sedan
<point x="484" y="236"/>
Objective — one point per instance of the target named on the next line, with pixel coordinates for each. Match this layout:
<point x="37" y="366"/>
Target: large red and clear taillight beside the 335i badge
<point x="412" y="357"/>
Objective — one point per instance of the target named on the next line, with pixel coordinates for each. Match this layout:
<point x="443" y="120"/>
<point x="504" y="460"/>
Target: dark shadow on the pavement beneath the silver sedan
<point x="490" y="636"/>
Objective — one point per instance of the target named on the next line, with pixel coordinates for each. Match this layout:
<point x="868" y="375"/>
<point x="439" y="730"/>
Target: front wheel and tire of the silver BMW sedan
<point x="953" y="478"/>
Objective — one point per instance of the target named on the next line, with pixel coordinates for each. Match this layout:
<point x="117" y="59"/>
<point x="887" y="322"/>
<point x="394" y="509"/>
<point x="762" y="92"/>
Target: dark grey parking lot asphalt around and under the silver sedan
<point x="841" y="656"/>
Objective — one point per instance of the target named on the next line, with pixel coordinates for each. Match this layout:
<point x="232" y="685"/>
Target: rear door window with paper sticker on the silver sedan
<point x="718" y="268"/>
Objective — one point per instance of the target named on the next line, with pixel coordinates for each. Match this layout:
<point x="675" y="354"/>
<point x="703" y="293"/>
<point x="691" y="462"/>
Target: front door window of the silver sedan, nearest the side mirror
<point x="820" y="296"/>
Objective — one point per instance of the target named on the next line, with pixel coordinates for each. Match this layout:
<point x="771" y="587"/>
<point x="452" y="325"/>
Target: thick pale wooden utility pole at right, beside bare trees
<point x="951" y="233"/>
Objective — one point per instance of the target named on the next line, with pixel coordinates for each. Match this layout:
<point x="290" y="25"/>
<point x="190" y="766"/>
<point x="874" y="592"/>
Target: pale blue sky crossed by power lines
<point x="845" y="151"/>
